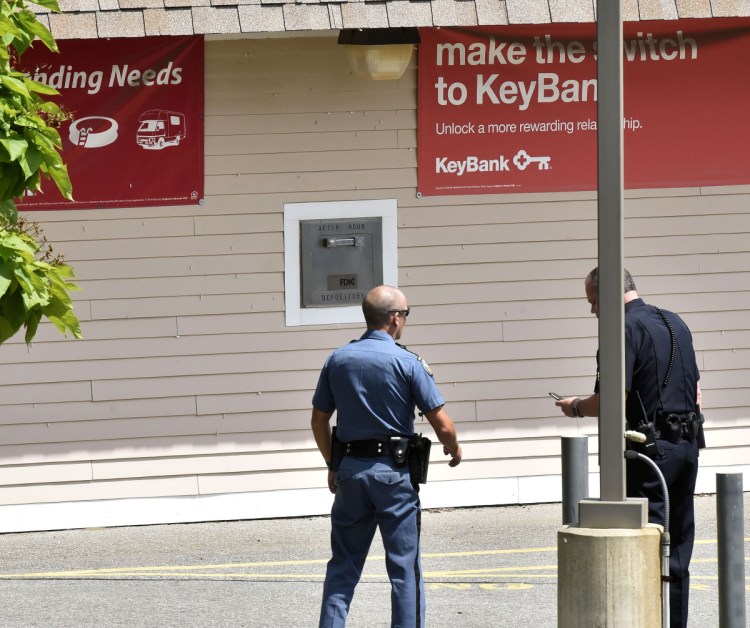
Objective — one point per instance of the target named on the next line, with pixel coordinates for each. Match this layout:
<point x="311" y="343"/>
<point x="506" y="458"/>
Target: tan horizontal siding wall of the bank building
<point x="189" y="383"/>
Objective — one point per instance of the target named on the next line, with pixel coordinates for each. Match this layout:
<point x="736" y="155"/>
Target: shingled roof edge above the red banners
<point x="91" y="19"/>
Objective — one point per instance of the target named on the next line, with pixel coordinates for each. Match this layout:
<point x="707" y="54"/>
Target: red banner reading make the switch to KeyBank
<point x="513" y="109"/>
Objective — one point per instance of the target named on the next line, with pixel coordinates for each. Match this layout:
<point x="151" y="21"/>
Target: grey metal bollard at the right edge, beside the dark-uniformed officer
<point x="730" y="521"/>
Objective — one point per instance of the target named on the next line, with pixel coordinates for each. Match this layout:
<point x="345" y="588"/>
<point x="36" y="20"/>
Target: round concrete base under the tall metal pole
<point x="609" y="578"/>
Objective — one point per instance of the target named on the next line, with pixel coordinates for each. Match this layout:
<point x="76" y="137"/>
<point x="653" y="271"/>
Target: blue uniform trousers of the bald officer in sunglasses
<point x="374" y="493"/>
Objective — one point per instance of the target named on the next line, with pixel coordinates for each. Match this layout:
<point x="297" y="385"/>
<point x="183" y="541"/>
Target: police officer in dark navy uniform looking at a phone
<point x="662" y="402"/>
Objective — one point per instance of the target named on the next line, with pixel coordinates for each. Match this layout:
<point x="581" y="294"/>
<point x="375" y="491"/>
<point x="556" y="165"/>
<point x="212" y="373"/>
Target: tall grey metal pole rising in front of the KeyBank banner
<point x="611" y="186"/>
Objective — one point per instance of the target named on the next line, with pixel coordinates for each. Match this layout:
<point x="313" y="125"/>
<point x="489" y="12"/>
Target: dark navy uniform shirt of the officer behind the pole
<point x="648" y="347"/>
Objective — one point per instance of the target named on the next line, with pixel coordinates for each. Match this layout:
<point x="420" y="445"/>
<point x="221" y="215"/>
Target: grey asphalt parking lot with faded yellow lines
<point x="493" y="566"/>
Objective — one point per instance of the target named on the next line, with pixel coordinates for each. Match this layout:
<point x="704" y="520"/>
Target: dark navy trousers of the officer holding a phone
<point x="679" y="465"/>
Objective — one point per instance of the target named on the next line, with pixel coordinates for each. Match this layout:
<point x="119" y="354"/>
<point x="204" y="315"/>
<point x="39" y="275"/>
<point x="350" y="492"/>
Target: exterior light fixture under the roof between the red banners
<point x="380" y="53"/>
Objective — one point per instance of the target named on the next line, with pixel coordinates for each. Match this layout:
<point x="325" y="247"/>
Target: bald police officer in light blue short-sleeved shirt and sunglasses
<point x="374" y="385"/>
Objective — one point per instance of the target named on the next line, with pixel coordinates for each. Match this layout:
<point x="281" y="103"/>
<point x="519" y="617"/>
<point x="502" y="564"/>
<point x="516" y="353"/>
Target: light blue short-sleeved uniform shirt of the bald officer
<point x="374" y="386"/>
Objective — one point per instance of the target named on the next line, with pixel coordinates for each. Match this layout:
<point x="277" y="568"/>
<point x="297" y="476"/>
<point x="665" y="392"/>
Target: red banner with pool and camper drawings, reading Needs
<point x="136" y="133"/>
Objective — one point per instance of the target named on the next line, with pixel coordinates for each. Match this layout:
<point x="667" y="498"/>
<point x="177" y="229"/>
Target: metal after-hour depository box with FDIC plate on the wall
<point x="341" y="260"/>
